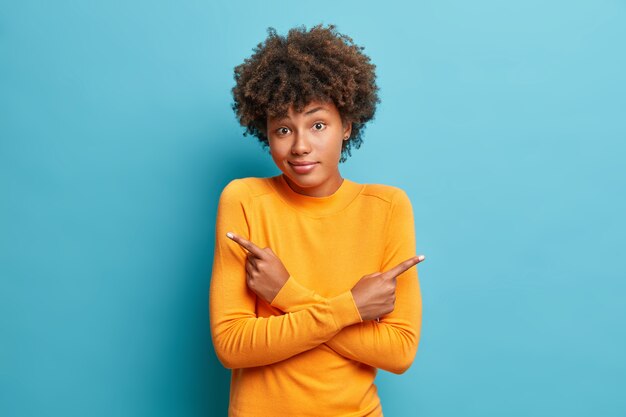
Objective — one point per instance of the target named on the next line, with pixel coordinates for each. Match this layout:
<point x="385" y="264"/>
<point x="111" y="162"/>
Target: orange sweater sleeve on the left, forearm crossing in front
<point x="240" y="338"/>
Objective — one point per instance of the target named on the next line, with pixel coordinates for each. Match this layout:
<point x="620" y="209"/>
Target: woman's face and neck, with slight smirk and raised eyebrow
<point x="306" y="147"/>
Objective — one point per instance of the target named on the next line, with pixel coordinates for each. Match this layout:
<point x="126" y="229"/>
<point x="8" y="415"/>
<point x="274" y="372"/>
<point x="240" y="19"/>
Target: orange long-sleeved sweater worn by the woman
<point x="309" y="353"/>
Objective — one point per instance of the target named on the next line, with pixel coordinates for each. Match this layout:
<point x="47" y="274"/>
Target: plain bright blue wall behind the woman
<point x="503" y="121"/>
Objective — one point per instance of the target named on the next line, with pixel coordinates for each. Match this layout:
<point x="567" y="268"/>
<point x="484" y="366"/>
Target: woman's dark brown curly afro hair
<point x="316" y="65"/>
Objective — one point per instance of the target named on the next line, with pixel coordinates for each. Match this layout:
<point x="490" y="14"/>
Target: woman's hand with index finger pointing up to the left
<point x="265" y="273"/>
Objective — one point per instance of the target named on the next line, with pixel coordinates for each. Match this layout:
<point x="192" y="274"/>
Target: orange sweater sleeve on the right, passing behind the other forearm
<point x="390" y="344"/>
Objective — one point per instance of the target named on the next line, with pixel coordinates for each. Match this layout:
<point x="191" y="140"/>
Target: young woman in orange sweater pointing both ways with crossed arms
<point x="312" y="287"/>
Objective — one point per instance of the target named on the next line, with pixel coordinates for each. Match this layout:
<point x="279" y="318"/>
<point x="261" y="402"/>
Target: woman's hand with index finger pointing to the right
<point x="375" y="294"/>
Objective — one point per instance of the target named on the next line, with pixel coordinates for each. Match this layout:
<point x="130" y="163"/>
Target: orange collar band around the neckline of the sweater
<point x="317" y="206"/>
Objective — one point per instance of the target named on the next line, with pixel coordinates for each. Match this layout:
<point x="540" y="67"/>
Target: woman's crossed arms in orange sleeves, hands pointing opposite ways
<point x="345" y="323"/>
